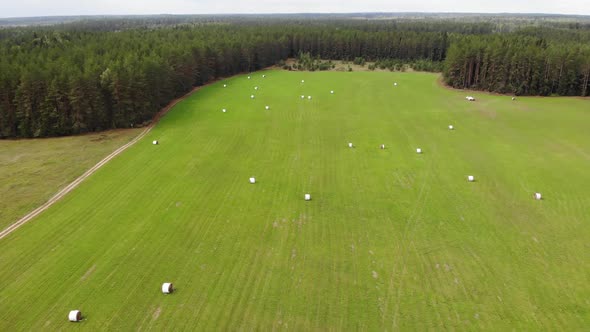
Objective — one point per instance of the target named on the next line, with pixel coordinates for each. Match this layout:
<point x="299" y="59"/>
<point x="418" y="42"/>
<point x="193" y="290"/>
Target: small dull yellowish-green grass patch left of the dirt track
<point x="33" y="170"/>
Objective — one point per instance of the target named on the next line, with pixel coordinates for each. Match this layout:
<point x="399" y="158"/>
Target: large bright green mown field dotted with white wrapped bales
<point x="392" y="240"/>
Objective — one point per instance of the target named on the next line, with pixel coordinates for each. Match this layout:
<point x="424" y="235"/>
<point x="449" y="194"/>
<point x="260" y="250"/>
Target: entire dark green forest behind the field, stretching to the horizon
<point x="102" y="73"/>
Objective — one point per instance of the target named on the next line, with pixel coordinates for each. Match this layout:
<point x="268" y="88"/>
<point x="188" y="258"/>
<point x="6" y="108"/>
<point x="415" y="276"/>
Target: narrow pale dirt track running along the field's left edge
<point x="91" y="171"/>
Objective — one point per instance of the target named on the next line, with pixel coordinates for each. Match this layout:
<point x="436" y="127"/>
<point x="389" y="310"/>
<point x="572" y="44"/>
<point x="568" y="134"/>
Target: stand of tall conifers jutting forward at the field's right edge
<point x="519" y="64"/>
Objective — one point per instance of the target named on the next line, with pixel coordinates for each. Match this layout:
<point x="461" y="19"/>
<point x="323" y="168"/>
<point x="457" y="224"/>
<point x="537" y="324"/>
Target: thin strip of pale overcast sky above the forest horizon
<point x="22" y="8"/>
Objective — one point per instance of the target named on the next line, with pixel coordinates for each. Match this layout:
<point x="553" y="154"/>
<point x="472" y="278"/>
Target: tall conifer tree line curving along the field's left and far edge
<point x="61" y="82"/>
